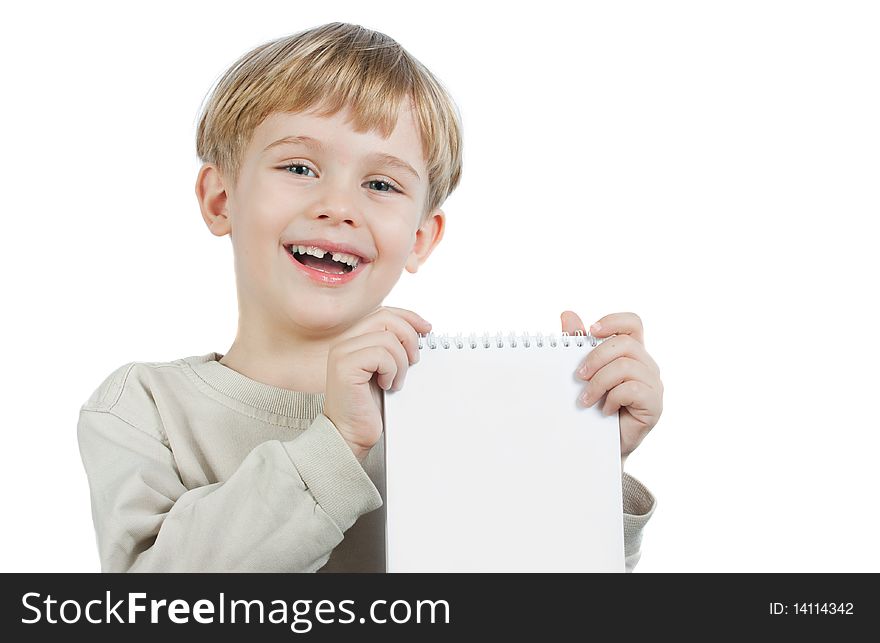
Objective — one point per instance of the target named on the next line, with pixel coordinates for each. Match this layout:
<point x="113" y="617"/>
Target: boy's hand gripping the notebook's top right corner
<point x="621" y="367"/>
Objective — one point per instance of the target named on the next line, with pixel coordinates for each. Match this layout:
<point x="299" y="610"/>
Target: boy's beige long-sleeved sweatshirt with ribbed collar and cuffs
<point x="193" y="466"/>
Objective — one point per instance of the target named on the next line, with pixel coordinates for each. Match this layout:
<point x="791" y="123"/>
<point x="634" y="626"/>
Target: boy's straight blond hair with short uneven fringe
<point x="342" y="65"/>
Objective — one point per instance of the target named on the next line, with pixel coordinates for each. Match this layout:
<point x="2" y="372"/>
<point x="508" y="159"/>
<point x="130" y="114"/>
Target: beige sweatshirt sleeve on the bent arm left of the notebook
<point x="284" y="509"/>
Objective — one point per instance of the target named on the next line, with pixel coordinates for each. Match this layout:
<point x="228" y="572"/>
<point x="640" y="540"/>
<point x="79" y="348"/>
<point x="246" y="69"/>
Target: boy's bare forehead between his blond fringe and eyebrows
<point x="337" y="135"/>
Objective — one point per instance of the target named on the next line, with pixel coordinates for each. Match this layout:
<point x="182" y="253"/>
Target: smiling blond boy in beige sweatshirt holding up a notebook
<point x="326" y="157"/>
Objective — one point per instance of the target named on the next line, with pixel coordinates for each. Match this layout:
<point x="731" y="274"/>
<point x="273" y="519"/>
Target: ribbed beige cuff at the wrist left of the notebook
<point x="332" y="473"/>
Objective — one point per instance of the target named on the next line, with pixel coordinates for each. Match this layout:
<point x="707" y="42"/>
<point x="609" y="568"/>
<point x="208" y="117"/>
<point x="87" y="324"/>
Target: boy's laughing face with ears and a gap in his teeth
<point x="341" y="193"/>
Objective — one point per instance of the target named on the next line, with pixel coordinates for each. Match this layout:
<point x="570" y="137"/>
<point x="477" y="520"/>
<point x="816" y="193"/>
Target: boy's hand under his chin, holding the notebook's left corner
<point x="384" y="343"/>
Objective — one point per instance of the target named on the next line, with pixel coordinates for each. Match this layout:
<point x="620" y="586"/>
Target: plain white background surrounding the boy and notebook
<point x="710" y="166"/>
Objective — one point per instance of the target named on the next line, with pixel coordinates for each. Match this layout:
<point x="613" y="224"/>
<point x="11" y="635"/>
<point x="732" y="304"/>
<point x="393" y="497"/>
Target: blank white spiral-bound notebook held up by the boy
<point x="492" y="465"/>
